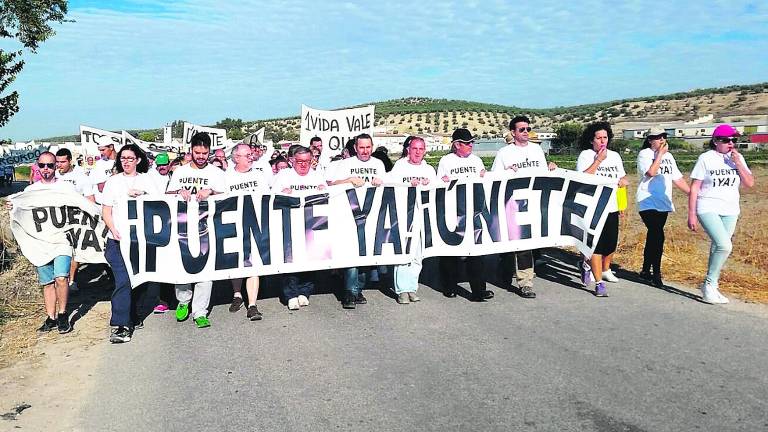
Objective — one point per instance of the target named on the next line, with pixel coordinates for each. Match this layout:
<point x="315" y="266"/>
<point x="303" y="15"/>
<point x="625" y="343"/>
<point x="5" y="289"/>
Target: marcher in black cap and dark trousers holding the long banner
<point x="462" y="164"/>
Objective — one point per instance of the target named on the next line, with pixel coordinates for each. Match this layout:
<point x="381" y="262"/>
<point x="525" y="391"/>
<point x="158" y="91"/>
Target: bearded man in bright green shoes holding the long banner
<point x="200" y="180"/>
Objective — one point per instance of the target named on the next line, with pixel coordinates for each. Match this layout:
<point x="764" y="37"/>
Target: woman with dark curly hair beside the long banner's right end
<point x="597" y="159"/>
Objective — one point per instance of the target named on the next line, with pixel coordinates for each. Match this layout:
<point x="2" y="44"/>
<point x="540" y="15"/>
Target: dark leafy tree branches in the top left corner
<point x="28" y="23"/>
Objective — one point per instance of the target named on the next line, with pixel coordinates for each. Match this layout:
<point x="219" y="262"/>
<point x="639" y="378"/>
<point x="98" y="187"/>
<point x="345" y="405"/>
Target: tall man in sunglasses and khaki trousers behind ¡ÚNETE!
<point x="523" y="158"/>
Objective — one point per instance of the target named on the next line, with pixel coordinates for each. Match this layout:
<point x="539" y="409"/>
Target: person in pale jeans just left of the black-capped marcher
<point x="411" y="169"/>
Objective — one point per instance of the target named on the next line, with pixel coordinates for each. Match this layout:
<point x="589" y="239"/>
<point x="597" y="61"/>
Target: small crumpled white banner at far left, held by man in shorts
<point x="51" y="222"/>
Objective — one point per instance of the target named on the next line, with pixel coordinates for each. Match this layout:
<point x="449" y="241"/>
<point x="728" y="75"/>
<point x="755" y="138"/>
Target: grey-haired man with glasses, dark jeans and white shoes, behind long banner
<point x="300" y="179"/>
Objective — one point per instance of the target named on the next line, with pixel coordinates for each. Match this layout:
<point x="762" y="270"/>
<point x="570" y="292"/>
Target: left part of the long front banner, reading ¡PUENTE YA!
<point x="229" y="236"/>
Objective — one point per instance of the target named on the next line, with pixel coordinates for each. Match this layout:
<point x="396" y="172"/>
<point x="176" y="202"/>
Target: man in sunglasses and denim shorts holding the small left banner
<point x="53" y="276"/>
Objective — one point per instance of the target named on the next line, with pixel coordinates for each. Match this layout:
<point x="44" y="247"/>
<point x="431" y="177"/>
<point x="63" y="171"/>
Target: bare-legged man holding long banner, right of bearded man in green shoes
<point x="243" y="176"/>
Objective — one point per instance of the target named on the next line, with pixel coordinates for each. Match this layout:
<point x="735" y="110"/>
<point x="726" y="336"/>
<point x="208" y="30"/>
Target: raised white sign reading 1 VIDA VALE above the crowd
<point x="335" y="128"/>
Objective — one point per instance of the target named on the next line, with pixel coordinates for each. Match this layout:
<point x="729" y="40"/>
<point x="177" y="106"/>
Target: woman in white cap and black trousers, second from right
<point x="658" y="172"/>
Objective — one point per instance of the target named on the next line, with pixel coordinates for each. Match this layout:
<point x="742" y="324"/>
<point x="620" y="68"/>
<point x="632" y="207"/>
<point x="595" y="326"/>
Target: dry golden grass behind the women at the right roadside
<point x="685" y="253"/>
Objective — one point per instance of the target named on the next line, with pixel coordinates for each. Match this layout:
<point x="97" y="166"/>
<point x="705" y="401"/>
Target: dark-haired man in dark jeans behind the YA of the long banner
<point x="357" y="170"/>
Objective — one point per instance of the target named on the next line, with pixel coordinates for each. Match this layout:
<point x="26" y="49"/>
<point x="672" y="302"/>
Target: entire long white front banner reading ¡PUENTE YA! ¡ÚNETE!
<point x="227" y="236"/>
